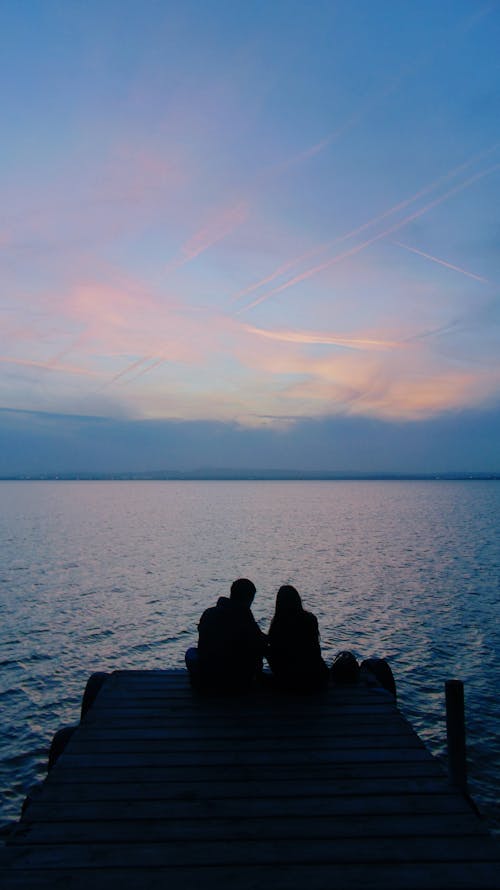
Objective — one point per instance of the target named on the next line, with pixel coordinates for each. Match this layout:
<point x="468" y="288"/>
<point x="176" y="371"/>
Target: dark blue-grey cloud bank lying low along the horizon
<point x="47" y="443"/>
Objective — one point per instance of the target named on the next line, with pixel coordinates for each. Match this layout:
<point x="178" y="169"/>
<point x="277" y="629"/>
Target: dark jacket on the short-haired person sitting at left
<point x="230" y="644"/>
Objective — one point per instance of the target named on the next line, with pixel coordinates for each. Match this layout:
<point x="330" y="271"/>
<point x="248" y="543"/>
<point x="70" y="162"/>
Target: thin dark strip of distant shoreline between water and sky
<point x="249" y="476"/>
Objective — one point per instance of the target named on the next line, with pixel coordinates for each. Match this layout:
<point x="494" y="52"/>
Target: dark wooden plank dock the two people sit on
<point x="162" y="788"/>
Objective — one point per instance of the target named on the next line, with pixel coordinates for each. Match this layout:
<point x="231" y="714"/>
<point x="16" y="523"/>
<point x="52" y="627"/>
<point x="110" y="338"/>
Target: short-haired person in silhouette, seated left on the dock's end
<point x="230" y="643"/>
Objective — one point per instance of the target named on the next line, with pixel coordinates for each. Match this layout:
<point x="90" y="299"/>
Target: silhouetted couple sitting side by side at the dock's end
<point x="231" y="646"/>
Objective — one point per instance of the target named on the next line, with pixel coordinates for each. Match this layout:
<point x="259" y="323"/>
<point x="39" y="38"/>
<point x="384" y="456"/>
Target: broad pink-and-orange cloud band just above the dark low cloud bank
<point x="157" y="357"/>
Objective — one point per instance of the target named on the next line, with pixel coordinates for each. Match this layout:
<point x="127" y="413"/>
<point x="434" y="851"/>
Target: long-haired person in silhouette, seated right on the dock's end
<point x="294" y="650"/>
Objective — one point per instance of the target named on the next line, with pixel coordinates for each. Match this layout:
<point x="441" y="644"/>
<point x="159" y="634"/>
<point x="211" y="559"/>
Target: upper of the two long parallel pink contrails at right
<point x="376" y="219"/>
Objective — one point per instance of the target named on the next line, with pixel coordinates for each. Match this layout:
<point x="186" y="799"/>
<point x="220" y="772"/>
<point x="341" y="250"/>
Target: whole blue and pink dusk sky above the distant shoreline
<point x="249" y="234"/>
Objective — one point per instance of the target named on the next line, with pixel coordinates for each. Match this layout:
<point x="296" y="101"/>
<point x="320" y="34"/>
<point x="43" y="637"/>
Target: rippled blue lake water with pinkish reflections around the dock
<point x="105" y="575"/>
